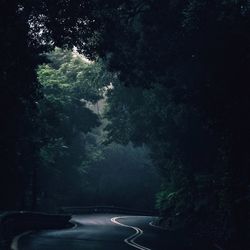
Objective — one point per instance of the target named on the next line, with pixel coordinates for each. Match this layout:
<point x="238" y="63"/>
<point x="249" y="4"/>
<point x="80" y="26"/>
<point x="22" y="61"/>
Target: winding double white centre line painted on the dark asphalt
<point x="131" y="239"/>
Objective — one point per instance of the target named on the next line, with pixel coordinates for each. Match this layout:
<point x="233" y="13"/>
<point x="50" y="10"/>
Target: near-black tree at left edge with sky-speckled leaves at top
<point x="27" y="29"/>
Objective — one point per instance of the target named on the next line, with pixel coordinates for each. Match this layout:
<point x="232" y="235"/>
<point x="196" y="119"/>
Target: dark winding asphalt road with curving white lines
<point x="104" y="232"/>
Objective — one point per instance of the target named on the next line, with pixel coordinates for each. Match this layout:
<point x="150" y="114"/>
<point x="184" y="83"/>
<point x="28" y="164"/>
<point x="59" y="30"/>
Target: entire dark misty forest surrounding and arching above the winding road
<point x="129" y="103"/>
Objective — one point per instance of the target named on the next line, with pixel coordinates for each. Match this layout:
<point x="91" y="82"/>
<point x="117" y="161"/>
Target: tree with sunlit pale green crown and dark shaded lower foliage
<point x="68" y="83"/>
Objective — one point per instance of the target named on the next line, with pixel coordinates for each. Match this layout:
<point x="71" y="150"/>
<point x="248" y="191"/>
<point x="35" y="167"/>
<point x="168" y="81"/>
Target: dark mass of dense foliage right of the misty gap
<point x="192" y="57"/>
